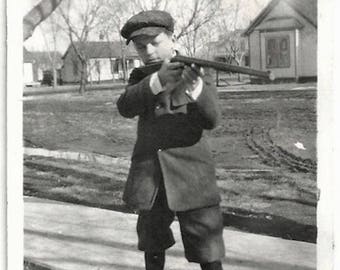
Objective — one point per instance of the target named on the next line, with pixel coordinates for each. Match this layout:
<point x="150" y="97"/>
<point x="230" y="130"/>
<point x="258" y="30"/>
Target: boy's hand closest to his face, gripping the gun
<point x="170" y="72"/>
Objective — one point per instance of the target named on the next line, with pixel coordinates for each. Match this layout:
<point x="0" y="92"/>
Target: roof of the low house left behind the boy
<point x="102" y="49"/>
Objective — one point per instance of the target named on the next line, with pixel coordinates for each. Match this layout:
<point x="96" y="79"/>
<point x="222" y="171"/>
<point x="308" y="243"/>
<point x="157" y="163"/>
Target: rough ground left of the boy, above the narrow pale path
<point x="88" y="123"/>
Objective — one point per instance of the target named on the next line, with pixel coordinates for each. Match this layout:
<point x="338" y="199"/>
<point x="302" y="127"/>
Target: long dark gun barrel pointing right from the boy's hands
<point x="223" y="66"/>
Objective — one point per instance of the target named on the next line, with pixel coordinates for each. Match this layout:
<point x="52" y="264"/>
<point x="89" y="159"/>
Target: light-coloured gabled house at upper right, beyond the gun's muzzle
<point x="283" y="38"/>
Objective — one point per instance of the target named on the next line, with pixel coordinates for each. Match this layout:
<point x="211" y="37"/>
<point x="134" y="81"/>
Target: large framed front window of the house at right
<point x="277" y="52"/>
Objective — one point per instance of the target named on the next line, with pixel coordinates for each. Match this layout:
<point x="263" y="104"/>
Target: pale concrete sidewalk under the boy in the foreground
<point x="67" y="236"/>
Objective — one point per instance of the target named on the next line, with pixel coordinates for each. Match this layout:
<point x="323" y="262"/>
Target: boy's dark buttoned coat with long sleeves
<point x="172" y="145"/>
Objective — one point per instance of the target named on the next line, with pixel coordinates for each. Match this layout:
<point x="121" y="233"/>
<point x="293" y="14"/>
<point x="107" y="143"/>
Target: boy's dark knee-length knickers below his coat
<point x="201" y="230"/>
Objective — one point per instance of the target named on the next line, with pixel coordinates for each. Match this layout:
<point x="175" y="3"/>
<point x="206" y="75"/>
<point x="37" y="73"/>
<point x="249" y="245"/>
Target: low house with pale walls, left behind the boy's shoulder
<point x="104" y="61"/>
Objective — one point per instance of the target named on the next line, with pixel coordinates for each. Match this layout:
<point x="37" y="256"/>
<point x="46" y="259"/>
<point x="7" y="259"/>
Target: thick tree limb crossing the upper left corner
<point x="38" y="14"/>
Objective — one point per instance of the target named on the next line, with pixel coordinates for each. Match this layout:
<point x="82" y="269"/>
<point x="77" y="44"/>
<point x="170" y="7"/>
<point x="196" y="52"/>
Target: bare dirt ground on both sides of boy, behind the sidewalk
<point x="264" y="149"/>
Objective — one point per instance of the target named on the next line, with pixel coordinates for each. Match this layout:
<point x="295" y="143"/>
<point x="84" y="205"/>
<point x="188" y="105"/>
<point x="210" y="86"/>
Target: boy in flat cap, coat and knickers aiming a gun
<point x="172" y="171"/>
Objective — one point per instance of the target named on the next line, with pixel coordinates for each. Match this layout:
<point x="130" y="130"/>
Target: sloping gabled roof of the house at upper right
<point x="306" y="8"/>
